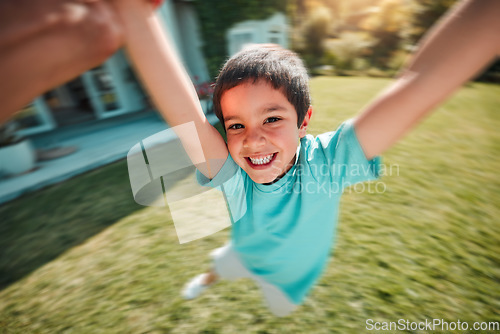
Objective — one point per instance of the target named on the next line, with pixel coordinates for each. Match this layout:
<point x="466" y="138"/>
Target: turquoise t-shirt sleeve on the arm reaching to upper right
<point x="347" y="161"/>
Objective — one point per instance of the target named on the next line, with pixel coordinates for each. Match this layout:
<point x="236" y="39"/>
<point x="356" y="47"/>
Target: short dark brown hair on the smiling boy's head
<point x="281" y="68"/>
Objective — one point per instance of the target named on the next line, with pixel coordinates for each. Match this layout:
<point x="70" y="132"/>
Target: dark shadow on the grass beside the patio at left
<point x="39" y="227"/>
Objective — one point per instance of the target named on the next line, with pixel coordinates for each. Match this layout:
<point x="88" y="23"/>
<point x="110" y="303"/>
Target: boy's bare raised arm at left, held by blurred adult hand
<point x="169" y="85"/>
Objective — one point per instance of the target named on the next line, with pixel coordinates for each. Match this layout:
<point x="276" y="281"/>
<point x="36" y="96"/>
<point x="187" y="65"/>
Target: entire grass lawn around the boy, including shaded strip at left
<point x="83" y="257"/>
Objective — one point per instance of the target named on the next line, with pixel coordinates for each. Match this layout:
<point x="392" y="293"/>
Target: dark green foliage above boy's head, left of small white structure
<point x="217" y="16"/>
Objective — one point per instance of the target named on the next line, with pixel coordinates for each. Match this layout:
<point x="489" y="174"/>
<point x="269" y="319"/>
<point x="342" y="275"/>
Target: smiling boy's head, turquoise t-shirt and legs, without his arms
<point x="283" y="236"/>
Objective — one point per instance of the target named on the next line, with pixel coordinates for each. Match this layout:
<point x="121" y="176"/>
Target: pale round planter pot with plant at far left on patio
<point x="16" y="152"/>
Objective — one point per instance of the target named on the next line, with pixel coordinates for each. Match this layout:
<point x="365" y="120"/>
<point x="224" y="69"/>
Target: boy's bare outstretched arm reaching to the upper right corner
<point x="463" y="43"/>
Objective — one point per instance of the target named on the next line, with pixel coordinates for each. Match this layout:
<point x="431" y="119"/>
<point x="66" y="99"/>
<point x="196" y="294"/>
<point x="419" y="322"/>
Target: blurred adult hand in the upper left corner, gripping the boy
<point x="45" y="43"/>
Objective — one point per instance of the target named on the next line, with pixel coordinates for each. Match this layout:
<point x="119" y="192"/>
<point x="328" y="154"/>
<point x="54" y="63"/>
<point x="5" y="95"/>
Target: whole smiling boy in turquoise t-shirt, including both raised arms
<point x="282" y="238"/>
